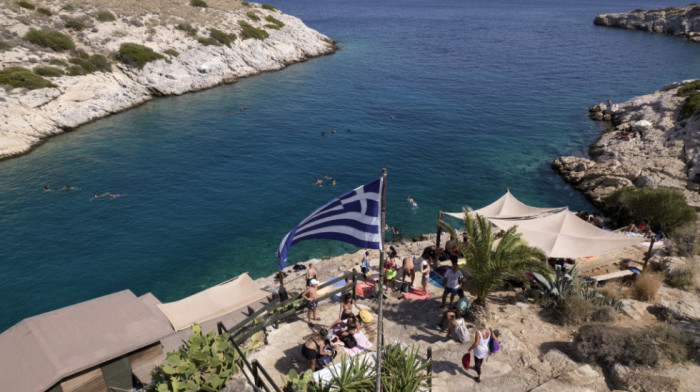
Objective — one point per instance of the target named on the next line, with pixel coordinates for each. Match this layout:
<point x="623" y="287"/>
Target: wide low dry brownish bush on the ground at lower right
<point x="650" y="346"/>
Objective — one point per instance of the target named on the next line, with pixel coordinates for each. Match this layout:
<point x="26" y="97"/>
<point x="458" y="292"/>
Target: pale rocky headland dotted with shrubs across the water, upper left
<point x="201" y="47"/>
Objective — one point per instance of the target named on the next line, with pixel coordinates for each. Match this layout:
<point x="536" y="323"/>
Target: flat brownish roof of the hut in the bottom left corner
<point x="39" y="351"/>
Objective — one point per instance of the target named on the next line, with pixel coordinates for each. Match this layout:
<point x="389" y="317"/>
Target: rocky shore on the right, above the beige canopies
<point x="649" y="144"/>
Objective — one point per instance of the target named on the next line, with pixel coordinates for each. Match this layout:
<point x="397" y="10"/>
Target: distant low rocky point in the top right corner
<point x="682" y="21"/>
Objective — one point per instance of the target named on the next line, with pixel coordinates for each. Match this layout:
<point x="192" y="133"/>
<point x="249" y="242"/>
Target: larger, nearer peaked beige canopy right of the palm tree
<point x="565" y="235"/>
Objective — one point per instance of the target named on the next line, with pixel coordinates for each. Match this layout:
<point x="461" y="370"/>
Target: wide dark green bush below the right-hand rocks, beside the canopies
<point x="663" y="207"/>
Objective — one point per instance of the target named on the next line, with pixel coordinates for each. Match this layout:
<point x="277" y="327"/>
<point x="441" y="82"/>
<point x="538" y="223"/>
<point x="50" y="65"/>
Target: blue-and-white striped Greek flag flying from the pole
<point x="352" y="218"/>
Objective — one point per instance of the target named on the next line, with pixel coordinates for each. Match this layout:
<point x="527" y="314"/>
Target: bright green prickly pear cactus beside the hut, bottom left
<point x="204" y="363"/>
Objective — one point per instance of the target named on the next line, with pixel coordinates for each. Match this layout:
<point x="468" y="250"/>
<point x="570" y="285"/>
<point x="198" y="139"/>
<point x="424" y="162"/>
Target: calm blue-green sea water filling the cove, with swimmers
<point x="484" y="95"/>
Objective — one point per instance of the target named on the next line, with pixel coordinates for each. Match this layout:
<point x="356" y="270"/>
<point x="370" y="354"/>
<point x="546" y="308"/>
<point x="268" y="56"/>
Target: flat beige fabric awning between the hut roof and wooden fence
<point x="213" y="302"/>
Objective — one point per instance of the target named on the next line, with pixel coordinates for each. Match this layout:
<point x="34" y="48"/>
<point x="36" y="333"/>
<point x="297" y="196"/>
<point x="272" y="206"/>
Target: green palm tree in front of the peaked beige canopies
<point x="490" y="265"/>
